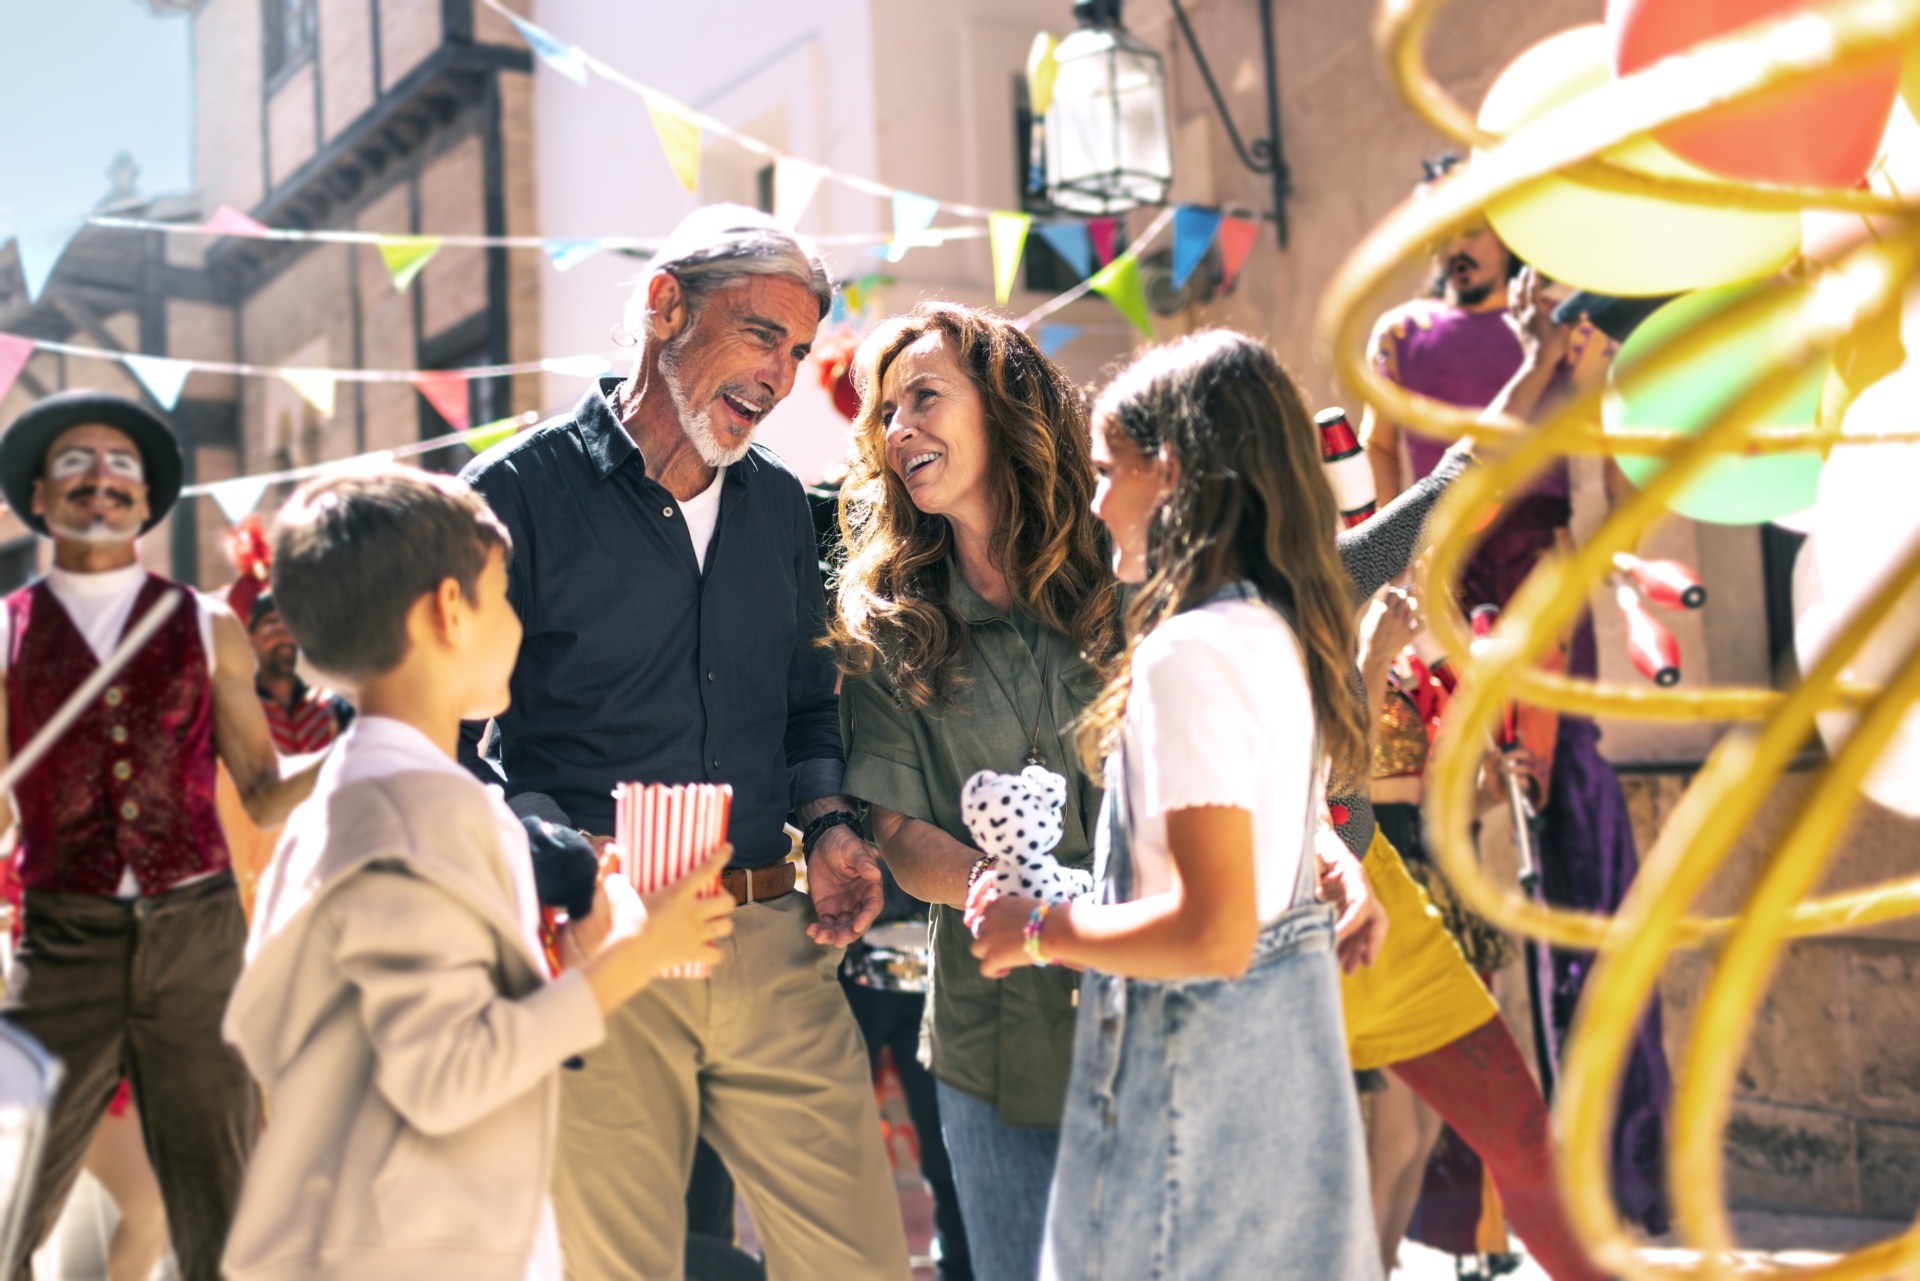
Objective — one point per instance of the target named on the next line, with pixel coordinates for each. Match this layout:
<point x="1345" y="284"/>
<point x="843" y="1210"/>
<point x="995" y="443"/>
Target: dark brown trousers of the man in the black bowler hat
<point x="139" y="988"/>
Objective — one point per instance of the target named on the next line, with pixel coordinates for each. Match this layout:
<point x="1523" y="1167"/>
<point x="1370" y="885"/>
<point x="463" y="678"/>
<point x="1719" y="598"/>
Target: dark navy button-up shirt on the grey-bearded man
<point x="638" y="667"/>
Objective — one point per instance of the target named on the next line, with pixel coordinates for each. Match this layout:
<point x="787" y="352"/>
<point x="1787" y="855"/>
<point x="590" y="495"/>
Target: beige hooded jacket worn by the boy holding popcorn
<point x="408" y="1042"/>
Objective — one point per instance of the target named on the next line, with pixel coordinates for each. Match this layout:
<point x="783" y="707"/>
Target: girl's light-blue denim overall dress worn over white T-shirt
<point x="1212" y="1128"/>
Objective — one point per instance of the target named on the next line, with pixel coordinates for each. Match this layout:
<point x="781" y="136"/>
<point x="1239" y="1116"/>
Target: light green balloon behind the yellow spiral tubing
<point x="1729" y="491"/>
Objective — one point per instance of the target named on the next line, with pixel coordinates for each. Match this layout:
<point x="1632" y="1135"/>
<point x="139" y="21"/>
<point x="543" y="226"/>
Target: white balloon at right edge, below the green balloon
<point x="1865" y="523"/>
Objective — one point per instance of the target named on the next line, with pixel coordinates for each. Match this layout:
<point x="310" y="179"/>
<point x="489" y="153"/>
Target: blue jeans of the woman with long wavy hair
<point x="1003" y="1176"/>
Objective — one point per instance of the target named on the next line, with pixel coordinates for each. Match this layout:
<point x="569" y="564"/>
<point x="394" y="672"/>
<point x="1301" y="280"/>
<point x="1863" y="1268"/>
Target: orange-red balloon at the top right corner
<point x="1817" y="133"/>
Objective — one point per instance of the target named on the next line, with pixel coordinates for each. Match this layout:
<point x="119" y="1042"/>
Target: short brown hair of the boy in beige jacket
<point x="352" y="556"/>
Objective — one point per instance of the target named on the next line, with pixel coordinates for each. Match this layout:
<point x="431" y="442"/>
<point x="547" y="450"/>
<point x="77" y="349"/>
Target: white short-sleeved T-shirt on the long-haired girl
<point x="1220" y="715"/>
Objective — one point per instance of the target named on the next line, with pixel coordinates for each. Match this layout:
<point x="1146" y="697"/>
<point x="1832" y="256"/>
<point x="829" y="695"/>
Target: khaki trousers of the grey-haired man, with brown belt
<point x="765" y="1061"/>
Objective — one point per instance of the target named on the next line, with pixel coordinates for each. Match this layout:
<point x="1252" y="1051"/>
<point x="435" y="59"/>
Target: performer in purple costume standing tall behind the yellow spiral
<point x="1485" y="337"/>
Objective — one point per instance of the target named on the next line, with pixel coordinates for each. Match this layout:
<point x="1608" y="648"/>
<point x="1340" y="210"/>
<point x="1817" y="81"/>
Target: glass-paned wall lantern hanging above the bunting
<point x="1107" y="126"/>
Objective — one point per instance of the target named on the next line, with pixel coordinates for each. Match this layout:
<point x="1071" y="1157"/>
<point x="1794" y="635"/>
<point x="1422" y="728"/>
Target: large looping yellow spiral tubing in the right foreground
<point x="1583" y="141"/>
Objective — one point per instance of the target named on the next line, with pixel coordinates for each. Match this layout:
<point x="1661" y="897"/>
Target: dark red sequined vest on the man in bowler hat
<point x="132" y="783"/>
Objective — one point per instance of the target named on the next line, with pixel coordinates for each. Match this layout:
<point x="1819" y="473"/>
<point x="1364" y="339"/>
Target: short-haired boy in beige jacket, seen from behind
<point x="396" y="1005"/>
